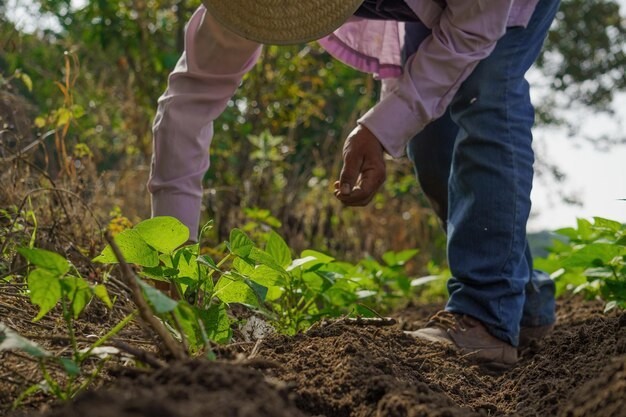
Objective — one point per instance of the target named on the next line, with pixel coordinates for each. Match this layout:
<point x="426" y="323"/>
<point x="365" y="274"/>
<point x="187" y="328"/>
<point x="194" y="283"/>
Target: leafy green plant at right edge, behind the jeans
<point x="592" y="260"/>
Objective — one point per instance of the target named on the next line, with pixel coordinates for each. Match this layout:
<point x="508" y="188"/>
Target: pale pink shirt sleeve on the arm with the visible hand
<point x="465" y="34"/>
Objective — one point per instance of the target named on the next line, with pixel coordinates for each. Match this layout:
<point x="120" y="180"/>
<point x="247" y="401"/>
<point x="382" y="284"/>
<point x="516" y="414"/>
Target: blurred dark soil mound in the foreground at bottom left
<point x="191" y="389"/>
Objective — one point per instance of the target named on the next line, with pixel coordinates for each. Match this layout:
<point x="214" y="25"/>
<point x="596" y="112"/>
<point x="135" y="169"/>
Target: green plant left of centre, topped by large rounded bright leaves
<point x="154" y="246"/>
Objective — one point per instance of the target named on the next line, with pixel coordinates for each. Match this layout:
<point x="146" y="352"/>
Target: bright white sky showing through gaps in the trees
<point x="597" y="179"/>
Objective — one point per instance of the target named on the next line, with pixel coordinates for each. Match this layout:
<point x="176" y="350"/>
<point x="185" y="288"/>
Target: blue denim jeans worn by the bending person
<point x="475" y="164"/>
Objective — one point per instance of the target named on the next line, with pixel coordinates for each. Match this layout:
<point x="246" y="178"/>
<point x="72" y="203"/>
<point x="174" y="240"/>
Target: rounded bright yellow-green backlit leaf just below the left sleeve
<point x="164" y="233"/>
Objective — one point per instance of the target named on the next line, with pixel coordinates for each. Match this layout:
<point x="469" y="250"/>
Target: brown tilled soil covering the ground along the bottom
<point x="344" y="370"/>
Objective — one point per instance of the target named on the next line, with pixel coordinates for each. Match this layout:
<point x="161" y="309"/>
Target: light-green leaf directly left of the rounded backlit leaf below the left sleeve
<point x="134" y="249"/>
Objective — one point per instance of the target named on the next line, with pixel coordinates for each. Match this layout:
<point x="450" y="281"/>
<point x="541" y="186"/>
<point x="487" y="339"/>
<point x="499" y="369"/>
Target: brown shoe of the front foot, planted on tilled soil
<point x="470" y="337"/>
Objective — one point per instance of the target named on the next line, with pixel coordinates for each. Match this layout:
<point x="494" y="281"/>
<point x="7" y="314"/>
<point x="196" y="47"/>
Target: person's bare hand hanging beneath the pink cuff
<point x="363" y="169"/>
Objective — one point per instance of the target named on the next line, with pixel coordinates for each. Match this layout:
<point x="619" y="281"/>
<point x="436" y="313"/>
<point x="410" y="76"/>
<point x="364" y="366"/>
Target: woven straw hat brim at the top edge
<point x="282" y="21"/>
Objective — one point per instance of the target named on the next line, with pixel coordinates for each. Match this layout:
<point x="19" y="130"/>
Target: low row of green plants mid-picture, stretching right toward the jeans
<point x="298" y="292"/>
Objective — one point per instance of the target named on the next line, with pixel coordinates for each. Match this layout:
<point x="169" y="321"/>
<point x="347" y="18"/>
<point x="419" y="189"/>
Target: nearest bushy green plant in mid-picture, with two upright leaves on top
<point x="297" y="292"/>
